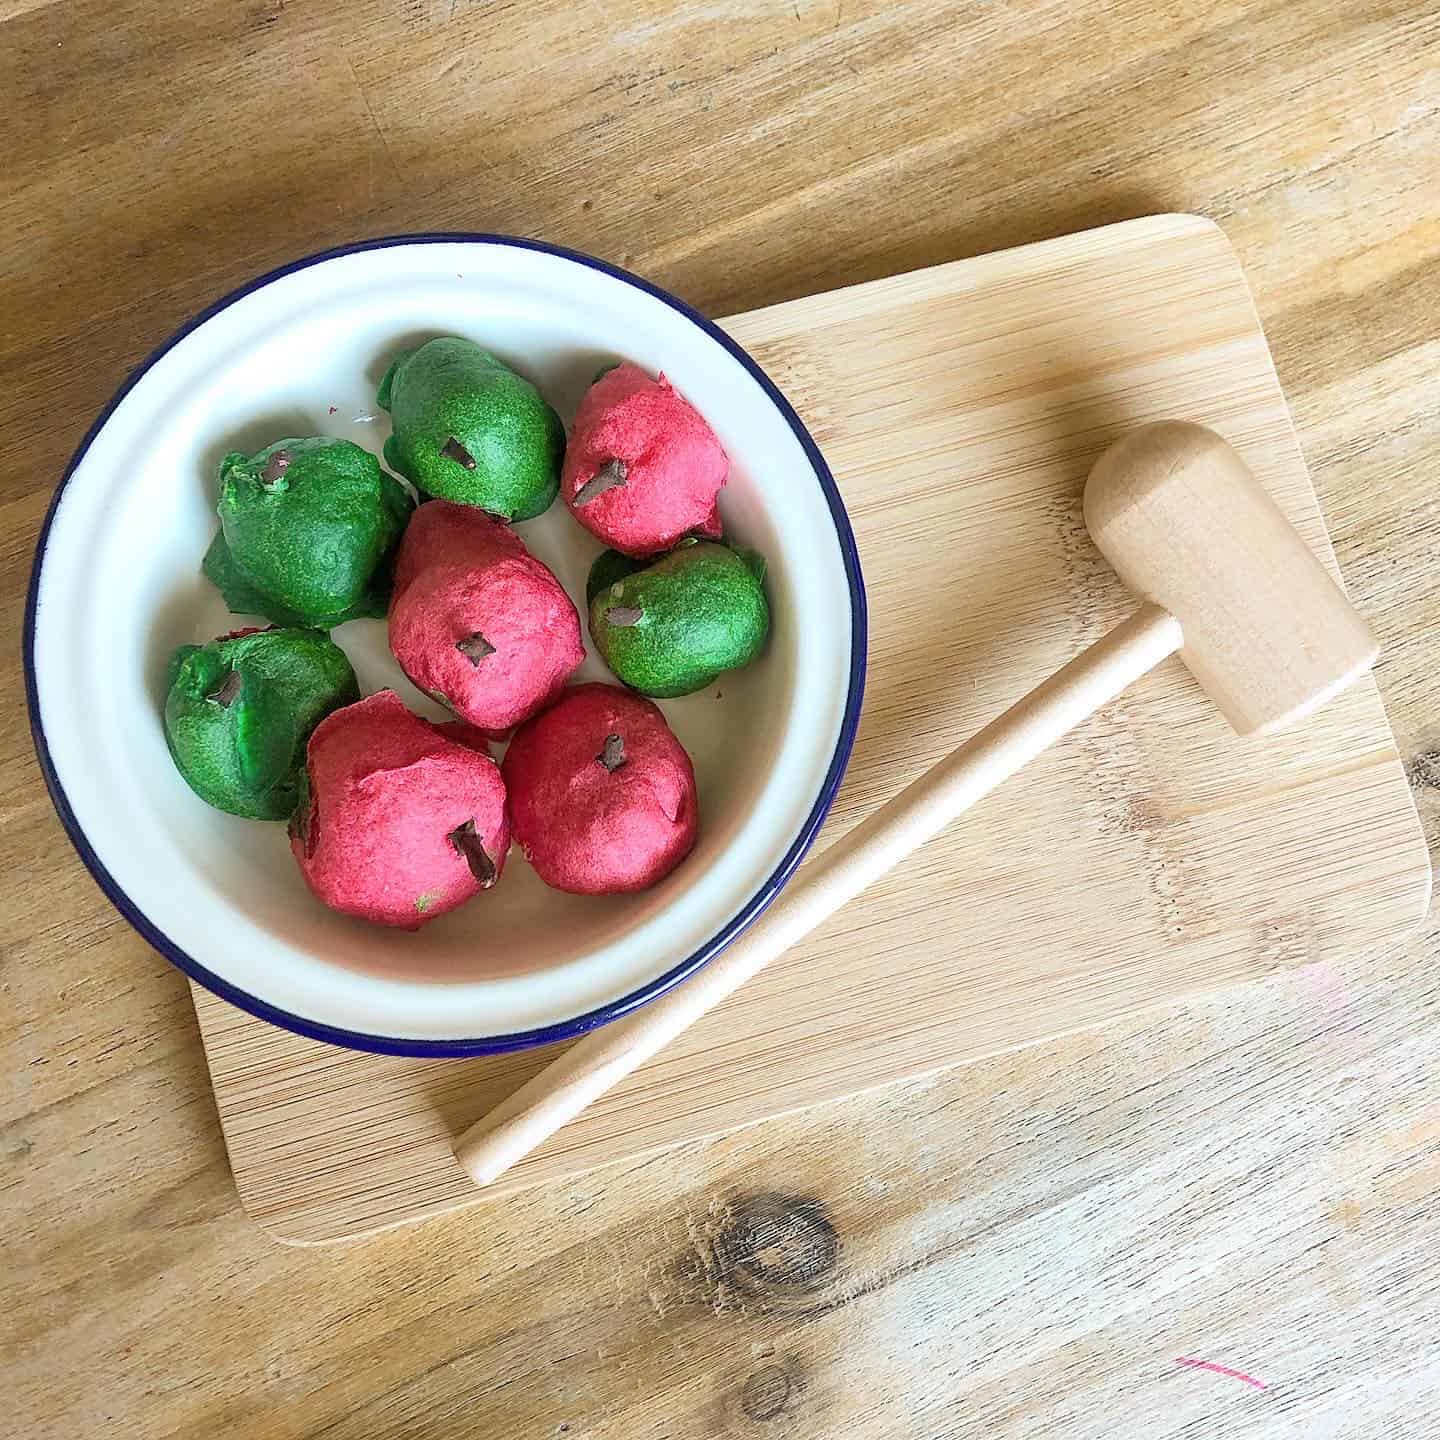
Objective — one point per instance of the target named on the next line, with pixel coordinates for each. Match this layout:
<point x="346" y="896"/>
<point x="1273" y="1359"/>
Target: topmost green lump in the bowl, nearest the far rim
<point x="467" y="428"/>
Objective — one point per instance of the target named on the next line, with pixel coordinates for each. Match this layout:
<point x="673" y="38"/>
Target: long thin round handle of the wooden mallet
<point x="590" y="1068"/>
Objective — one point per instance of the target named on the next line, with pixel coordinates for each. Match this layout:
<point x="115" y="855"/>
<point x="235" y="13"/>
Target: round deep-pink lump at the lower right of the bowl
<point x="590" y="830"/>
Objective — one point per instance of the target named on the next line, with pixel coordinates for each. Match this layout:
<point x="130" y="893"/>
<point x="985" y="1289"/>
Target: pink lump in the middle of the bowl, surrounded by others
<point x="462" y="574"/>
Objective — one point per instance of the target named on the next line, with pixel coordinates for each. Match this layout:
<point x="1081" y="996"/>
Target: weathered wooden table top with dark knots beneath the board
<point x="1025" y="1248"/>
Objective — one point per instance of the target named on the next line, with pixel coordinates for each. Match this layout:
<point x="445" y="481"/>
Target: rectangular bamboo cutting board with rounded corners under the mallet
<point x="1150" y="855"/>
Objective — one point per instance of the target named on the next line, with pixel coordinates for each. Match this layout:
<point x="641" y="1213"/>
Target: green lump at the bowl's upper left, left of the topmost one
<point x="309" y="531"/>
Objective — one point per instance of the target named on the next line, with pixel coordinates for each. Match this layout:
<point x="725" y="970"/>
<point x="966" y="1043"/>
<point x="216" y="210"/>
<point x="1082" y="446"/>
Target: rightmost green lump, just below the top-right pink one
<point x="672" y="627"/>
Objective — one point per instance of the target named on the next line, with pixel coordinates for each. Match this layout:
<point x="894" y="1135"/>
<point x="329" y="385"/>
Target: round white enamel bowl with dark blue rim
<point x="120" y="590"/>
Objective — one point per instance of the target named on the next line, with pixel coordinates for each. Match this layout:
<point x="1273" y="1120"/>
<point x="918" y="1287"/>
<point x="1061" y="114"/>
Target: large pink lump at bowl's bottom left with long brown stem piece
<point x="387" y="793"/>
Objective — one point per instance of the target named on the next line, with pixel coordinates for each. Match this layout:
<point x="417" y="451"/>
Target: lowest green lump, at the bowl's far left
<point x="241" y="711"/>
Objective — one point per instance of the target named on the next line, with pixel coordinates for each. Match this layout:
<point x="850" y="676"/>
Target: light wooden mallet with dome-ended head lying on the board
<point x="1226" y="582"/>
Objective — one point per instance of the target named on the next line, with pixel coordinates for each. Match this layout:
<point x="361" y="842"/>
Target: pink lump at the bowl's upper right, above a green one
<point x="675" y="464"/>
